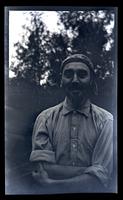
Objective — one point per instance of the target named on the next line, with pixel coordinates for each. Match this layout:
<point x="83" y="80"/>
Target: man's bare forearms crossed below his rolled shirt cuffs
<point x="65" y="177"/>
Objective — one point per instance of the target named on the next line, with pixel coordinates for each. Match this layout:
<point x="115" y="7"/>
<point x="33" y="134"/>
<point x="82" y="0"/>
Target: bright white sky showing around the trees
<point x="18" y="18"/>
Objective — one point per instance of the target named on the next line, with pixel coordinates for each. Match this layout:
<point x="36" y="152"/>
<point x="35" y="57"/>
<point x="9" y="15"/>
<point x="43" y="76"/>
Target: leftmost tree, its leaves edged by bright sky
<point x="31" y="52"/>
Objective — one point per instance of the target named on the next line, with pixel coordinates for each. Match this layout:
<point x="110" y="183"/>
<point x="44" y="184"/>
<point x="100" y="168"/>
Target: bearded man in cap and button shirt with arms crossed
<point x="72" y="143"/>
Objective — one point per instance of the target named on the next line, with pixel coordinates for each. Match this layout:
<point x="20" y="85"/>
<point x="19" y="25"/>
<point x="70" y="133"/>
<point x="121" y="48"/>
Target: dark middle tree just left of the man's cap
<point x="59" y="50"/>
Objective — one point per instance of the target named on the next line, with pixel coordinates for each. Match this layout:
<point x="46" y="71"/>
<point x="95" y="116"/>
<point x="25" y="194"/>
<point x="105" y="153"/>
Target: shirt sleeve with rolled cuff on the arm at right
<point x="102" y="159"/>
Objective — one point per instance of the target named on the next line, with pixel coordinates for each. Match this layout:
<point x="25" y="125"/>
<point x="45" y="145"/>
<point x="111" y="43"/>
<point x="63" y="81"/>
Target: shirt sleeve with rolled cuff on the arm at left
<point x="42" y="149"/>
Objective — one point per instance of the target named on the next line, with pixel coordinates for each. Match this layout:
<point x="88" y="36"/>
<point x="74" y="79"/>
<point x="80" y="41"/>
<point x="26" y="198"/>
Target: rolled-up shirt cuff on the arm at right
<point x="100" y="172"/>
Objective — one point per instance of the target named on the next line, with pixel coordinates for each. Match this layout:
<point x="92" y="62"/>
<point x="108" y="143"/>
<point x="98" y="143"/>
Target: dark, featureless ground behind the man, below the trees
<point x="23" y="104"/>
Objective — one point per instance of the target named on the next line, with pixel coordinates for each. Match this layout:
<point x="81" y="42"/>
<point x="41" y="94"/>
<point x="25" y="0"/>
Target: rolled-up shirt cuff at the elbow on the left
<point x="43" y="155"/>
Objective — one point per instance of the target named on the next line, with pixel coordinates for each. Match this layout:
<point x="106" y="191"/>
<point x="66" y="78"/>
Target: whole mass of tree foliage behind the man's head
<point x="41" y="54"/>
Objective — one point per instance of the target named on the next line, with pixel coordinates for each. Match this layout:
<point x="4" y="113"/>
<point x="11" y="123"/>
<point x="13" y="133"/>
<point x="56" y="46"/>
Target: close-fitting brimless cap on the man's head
<point x="78" y="58"/>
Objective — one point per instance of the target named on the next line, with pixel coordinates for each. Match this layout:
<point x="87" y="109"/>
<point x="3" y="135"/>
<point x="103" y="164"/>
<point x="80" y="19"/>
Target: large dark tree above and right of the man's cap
<point x="90" y="37"/>
